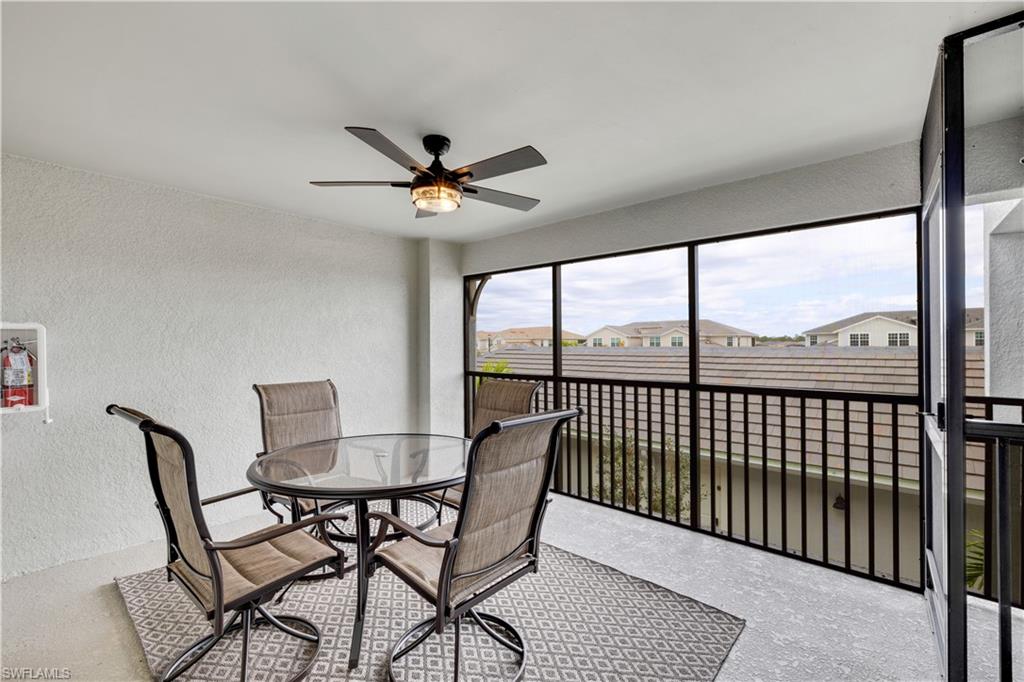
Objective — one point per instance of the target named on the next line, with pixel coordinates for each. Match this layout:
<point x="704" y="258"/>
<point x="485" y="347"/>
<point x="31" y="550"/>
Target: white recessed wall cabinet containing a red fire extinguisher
<point x="24" y="362"/>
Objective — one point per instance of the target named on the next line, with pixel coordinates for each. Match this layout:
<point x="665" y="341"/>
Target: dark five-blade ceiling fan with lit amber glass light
<point x="438" y="190"/>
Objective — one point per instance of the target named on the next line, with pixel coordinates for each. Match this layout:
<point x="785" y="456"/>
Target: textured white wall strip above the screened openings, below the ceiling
<point x="882" y="180"/>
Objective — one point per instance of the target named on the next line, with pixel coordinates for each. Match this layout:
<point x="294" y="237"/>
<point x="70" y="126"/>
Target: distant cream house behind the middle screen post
<point x="665" y="333"/>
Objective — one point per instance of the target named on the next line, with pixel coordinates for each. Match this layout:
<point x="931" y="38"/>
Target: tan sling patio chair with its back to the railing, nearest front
<point x="495" y="541"/>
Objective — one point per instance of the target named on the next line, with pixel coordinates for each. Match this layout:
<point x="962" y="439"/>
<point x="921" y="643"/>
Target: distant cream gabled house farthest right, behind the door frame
<point x="888" y="328"/>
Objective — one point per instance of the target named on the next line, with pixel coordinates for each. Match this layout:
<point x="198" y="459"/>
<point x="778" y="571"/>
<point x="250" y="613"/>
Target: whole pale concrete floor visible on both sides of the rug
<point x="803" y="622"/>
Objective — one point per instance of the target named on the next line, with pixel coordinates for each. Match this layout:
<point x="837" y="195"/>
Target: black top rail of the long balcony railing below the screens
<point x="854" y="397"/>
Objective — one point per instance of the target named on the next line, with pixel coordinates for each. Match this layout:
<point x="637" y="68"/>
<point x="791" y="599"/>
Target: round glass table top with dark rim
<point x="366" y="466"/>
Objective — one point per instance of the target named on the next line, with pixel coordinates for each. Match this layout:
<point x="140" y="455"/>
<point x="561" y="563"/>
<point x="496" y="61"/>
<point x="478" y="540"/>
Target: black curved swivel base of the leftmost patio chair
<point x="245" y="620"/>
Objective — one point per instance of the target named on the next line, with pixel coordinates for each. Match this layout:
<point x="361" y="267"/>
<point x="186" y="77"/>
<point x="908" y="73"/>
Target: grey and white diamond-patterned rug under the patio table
<point x="582" y="621"/>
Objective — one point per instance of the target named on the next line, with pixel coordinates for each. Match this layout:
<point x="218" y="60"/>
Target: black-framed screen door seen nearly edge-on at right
<point x="943" y="358"/>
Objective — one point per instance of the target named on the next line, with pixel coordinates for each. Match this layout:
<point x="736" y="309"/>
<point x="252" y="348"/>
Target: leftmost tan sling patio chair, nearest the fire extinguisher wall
<point x="238" y="577"/>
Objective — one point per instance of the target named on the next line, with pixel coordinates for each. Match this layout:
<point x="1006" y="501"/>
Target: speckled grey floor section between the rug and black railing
<point x="803" y="622"/>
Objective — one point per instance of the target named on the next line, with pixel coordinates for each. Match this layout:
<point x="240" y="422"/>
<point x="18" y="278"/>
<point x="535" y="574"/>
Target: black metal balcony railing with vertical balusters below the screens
<point x="825" y="477"/>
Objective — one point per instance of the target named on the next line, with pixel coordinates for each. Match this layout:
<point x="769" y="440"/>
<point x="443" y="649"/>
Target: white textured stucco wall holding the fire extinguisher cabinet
<point x="177" y="304"/>
